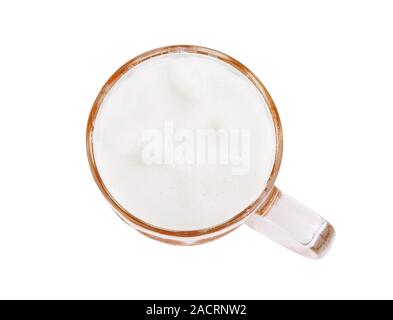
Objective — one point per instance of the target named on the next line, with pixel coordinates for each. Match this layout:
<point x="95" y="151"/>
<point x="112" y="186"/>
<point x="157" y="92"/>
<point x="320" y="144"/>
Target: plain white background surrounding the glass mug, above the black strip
<point x="328" y="66"/>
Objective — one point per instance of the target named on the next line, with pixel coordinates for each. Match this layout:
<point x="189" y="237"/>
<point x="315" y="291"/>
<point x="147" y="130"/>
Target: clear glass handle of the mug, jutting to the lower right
<point x="292" y="225"/>
